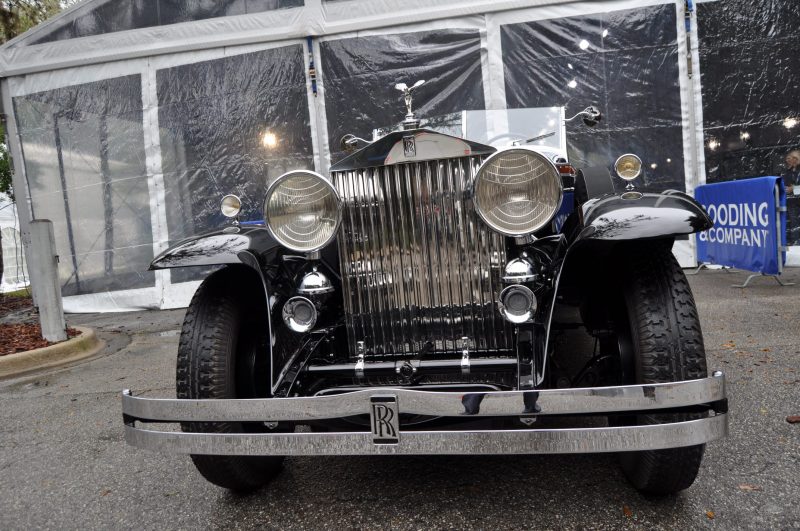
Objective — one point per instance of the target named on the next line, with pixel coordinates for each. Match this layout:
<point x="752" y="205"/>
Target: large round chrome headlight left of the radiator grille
<point x="302" y="210"/>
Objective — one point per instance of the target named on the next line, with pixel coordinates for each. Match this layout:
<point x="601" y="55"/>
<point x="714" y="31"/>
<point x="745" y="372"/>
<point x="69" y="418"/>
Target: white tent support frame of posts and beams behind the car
<point x="486" y="17"/>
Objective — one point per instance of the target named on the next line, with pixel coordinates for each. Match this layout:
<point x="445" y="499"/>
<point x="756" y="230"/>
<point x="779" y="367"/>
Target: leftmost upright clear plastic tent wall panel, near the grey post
<point x="85" y="164"/>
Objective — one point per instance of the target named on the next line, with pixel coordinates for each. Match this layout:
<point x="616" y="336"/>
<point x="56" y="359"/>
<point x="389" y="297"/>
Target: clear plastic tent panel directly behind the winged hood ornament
<point x="360" y="73"/>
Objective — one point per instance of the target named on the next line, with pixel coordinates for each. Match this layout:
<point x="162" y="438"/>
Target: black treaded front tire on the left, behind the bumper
<point x="215" y="341"/>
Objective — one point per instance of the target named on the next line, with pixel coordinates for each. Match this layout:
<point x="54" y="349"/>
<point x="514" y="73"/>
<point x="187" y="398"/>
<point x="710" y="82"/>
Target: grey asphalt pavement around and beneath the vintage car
<point x="64" y="464"/>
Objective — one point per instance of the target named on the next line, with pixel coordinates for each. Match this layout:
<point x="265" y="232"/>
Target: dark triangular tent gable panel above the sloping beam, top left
<point x="100" y="17"/>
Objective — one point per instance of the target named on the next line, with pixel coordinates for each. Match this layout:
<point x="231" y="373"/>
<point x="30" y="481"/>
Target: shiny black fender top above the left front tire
<point x="231" y="245"/>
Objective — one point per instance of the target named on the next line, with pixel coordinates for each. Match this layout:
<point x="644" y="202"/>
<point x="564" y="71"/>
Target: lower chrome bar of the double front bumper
<point x="523" y="441"/>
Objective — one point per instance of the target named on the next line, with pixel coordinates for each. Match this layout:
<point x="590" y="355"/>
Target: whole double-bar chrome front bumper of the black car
<point x="384" y="406"/>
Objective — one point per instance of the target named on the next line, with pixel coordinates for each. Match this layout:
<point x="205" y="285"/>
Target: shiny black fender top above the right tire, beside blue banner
<point x="645" y="216"/>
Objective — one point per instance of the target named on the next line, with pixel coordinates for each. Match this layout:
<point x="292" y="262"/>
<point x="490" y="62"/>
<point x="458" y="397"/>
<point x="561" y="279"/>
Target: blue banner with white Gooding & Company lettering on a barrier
<point x="745" y="231"/>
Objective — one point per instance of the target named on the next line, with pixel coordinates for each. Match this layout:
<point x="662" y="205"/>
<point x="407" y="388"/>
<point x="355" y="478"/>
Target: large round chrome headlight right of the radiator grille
<point x="517" y="191"/>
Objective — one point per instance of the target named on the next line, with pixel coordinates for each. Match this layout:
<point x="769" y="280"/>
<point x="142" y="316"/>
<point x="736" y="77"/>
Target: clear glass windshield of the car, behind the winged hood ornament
<point x="499" y="128"/>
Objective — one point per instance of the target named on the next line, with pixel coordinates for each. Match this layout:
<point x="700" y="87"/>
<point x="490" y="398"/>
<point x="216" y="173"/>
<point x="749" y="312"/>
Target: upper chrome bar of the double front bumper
<point x="579" y="401"/>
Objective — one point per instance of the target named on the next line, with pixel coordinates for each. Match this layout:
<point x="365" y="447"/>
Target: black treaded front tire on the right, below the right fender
<point x="667" y="346"/>
